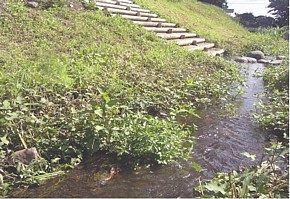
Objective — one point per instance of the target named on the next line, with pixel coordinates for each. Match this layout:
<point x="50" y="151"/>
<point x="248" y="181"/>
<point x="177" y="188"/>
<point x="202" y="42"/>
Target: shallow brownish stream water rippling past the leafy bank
<point x="219" y="144"/>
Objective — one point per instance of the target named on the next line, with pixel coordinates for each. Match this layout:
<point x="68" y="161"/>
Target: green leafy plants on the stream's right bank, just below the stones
<point x="273" y="114"/>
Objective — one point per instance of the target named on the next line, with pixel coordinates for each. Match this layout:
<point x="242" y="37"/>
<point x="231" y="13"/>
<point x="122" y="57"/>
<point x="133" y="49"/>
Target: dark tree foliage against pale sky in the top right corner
<point x="280" y="9"/>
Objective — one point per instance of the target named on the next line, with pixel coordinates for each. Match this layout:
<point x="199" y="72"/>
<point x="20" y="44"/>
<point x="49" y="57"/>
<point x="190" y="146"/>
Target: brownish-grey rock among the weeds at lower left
<point x="26" y="156"/>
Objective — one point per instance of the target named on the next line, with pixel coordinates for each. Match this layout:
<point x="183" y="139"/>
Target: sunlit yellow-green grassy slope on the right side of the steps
<point x="215" y="25"/>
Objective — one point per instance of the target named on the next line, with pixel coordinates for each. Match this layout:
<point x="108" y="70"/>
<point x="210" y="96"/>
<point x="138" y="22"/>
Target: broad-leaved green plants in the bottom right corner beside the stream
<point x="266" y="180"/>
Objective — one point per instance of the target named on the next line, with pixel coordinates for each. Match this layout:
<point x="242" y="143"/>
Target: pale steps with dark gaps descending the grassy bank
<point x="151" y="22"/>
